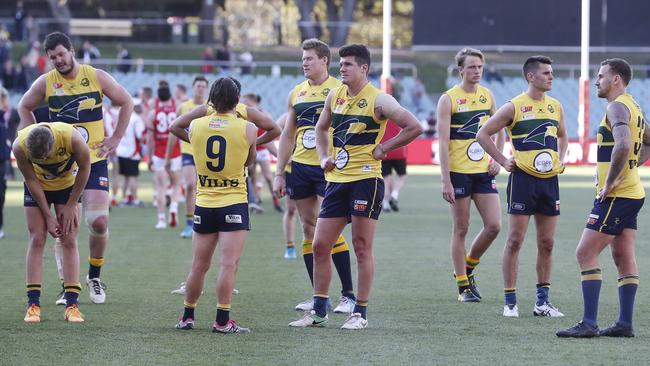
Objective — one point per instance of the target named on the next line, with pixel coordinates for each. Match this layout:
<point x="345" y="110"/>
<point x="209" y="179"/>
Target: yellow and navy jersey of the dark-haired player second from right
<point x="533" y="134"/>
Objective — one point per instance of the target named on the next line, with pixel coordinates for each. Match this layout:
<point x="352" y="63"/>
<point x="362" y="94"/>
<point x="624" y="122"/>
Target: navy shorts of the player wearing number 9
<point x="213" y="220"/>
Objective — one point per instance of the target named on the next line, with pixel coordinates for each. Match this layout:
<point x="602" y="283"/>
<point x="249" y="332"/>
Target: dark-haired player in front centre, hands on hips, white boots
<point x="358" y="112"/>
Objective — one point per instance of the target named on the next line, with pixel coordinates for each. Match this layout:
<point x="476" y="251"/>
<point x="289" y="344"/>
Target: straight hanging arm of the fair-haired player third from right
<point x="444" y="122"/>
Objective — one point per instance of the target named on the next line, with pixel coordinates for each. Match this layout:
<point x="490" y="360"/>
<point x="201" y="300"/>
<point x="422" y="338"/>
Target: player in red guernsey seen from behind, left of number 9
<point x="158" y="121"/>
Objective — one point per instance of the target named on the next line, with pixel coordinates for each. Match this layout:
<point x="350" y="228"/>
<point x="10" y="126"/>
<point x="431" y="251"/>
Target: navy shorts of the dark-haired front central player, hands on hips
<point x="360" y="198"/>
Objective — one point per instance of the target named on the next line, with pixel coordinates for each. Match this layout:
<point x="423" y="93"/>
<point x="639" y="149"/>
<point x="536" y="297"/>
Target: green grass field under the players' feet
<point x="414" y="317"/>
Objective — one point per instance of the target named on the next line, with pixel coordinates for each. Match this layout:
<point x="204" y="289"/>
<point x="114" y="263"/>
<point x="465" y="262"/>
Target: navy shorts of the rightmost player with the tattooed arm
<point x="613" y="215"/>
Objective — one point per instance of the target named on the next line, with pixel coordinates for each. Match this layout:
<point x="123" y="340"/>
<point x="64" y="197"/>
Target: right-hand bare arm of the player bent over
<point x="67" y="216"/>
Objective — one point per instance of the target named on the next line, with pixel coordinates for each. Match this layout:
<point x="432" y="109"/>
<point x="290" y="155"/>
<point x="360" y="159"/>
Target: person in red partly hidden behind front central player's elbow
<point x="395" y="160"/>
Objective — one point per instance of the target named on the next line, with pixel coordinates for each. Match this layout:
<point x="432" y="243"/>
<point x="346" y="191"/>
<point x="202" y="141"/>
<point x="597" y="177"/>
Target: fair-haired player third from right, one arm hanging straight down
<point x="466" y="170"/>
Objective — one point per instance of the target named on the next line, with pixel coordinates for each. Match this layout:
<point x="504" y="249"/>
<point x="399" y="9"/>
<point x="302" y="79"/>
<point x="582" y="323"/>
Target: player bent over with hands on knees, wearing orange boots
<point x="55" y="162"/>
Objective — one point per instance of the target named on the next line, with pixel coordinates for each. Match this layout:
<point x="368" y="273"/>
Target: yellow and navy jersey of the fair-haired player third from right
<point x="469" y="111"/>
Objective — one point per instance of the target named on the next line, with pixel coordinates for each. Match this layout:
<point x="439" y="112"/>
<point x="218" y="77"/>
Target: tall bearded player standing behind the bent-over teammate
<point x="74" y="94"/>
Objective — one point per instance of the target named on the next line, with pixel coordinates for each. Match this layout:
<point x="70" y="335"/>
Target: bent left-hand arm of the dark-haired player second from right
<point x="496" y="123"/>
